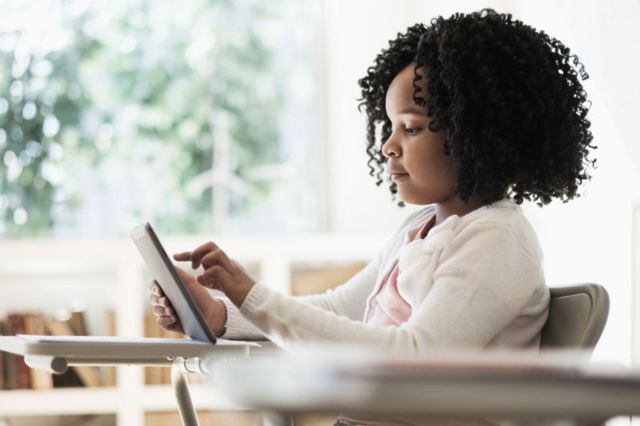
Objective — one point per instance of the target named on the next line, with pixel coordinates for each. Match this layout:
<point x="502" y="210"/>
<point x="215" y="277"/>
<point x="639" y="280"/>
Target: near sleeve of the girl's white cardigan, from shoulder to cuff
<point x="483" y="282"/>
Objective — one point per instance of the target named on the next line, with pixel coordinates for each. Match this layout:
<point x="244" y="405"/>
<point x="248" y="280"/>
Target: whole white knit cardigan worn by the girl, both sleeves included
<point x="474" y="281"/>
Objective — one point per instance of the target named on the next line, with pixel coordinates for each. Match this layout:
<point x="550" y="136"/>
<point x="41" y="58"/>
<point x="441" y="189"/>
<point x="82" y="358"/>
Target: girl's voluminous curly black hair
<point x="507" y="97"/>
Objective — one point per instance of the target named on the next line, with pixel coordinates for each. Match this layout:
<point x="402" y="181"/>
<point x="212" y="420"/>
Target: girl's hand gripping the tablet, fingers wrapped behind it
<point x="212" y="309"/>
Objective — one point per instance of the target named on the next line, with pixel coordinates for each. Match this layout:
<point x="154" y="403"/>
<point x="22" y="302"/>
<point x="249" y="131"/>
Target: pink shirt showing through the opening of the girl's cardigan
<point x="387" y="307"/>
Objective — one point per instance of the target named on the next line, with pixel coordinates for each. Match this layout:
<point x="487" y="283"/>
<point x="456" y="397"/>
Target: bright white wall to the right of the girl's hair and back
<point x="590" y="239"/>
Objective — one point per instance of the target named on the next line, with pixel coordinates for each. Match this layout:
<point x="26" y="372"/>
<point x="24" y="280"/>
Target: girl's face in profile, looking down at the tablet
<point x="416" y="159"/>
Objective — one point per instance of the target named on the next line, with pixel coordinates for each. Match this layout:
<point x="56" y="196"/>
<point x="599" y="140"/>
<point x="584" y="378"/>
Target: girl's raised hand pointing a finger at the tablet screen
<point x="220" y="272"/>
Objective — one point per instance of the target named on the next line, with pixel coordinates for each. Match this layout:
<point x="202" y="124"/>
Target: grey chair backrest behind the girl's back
<point x="577" y="316"/>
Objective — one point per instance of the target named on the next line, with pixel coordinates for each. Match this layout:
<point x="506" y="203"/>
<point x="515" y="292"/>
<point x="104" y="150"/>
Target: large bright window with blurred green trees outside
<point x="199" y="117"/>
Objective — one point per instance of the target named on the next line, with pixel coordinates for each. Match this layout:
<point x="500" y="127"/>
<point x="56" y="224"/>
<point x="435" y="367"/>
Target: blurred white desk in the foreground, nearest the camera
<point x="472" y="386"/>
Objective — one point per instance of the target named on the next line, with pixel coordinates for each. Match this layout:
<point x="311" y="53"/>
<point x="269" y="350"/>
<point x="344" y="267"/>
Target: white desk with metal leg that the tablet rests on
<point x="57" y="353"/>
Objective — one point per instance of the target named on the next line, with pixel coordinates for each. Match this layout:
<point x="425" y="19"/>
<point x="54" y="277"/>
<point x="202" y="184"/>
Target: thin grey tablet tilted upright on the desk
<point x="162" y="270"/>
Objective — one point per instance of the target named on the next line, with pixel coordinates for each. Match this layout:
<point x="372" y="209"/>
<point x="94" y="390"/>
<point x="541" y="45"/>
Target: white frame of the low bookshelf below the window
<point x="38" y="276"/>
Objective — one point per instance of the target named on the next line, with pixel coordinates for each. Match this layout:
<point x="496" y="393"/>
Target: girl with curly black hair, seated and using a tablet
<point x="468" y="116"/>
